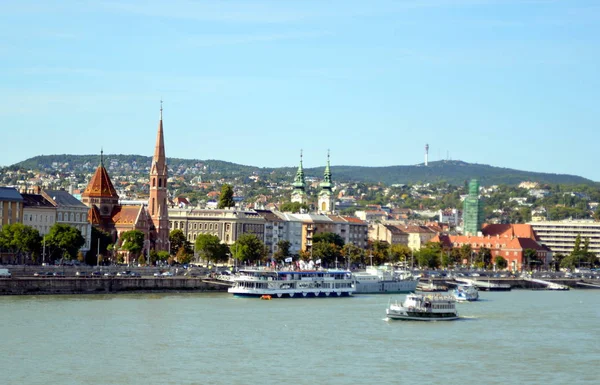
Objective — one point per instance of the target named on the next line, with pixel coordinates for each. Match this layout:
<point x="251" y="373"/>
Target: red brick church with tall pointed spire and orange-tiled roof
<point x="153" y="219"/>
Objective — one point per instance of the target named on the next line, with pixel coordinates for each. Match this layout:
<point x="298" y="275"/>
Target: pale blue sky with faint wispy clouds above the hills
<point x="502" y="82"/>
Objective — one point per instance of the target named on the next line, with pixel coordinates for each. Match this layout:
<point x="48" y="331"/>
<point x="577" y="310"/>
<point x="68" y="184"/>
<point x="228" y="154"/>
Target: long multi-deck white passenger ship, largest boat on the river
<point x="278" y="284"/>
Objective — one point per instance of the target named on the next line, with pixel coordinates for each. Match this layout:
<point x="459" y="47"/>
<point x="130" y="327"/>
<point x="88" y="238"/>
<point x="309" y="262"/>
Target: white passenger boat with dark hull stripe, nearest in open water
<point x="424" y="307"/>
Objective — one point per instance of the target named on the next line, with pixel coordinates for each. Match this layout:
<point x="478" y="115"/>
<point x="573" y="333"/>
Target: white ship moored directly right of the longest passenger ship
<point x="379" y="280"/>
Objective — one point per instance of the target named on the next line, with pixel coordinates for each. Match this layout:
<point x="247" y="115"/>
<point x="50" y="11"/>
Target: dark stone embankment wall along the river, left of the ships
<point x="77" y="285"/>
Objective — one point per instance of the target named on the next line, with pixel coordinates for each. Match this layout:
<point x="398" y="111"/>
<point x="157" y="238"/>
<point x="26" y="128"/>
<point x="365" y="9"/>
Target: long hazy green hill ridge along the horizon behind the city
<point x="454" y="172"/>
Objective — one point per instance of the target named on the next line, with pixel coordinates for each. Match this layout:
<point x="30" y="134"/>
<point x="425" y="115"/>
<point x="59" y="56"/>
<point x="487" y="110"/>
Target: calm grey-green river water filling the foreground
<point x="518" y="337"/>
